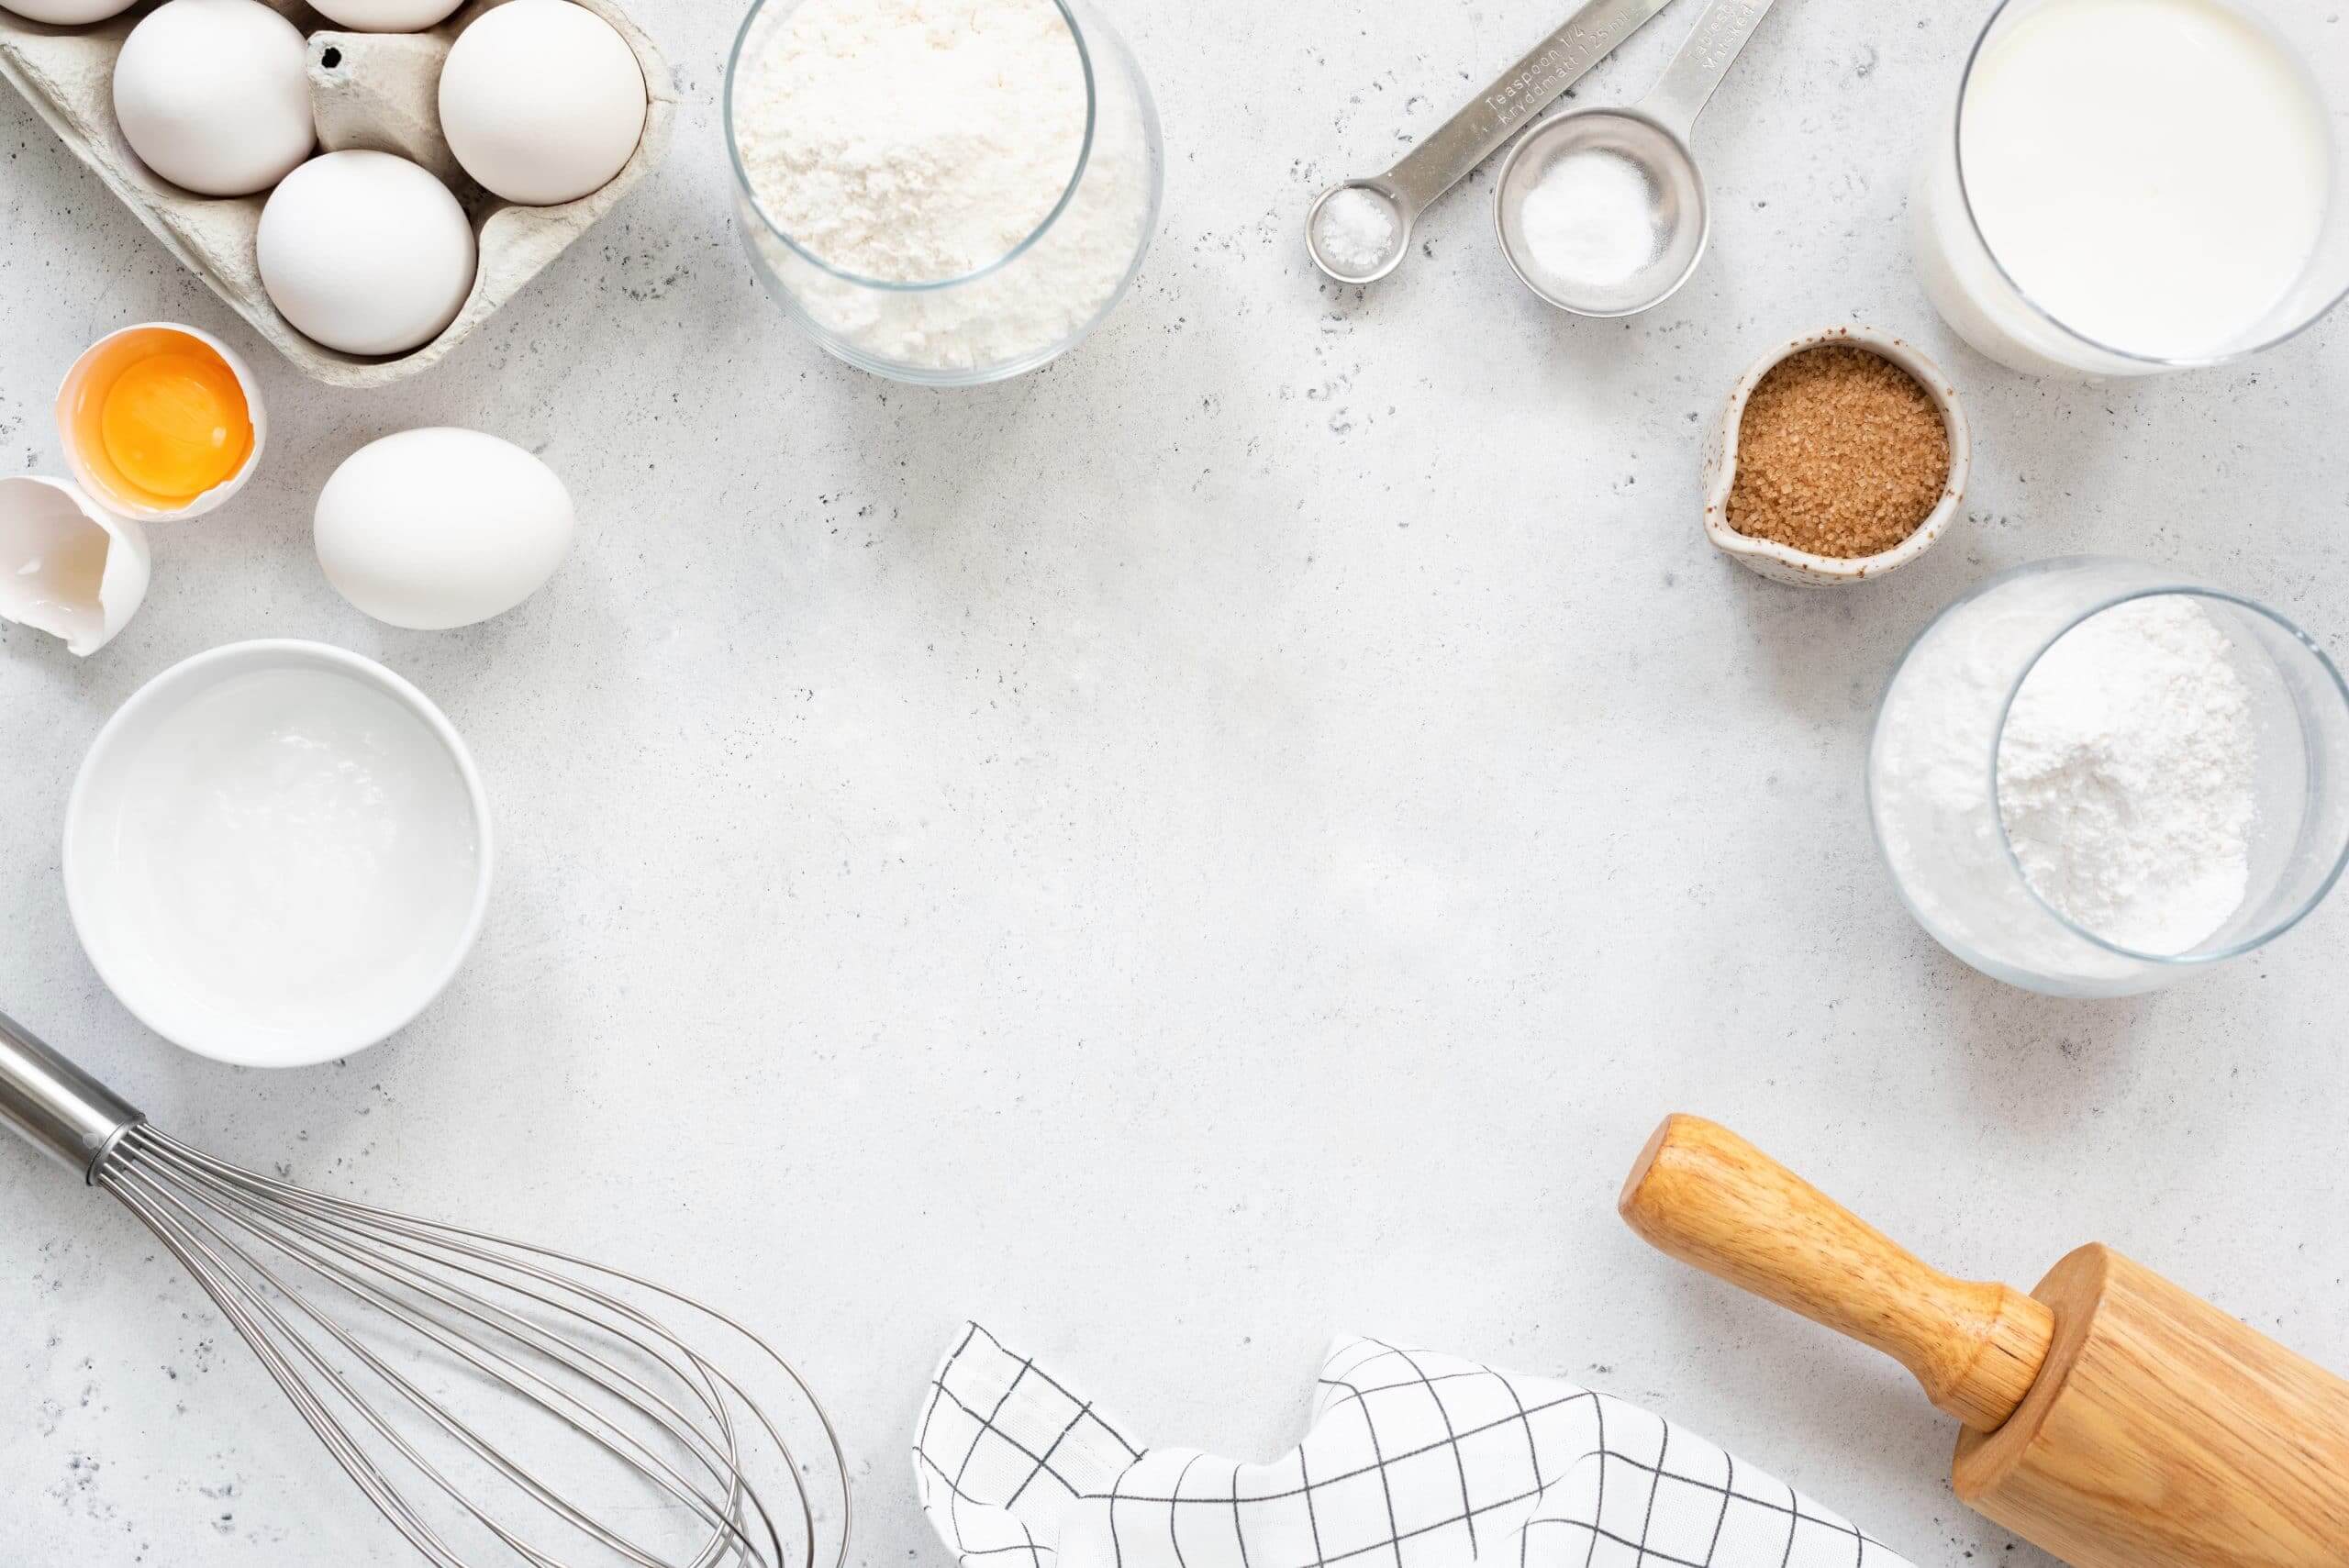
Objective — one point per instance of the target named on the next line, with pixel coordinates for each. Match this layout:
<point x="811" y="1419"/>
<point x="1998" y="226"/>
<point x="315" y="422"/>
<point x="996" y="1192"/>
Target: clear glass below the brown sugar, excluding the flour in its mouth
<point x="1934" y="792"/>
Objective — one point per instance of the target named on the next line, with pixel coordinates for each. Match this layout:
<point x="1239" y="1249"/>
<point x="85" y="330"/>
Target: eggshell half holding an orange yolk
<point x="86" y="428"/>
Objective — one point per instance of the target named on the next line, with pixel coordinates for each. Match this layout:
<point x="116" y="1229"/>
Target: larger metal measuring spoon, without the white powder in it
<point x="1653" y="137"/>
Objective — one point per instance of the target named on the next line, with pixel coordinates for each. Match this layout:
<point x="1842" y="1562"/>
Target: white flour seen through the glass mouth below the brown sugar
<point x="2127" y="776"/>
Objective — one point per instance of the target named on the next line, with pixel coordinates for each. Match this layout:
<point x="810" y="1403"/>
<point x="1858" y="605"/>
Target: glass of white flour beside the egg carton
<point x="943" y="191"/>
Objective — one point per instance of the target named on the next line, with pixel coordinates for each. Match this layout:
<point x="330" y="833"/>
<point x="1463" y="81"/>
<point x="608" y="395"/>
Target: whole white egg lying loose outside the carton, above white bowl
<point x="438" y="529"/>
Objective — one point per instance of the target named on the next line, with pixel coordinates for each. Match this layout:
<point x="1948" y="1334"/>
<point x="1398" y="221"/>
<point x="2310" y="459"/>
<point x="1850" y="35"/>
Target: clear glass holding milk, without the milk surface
<point x="1988" y="309"/>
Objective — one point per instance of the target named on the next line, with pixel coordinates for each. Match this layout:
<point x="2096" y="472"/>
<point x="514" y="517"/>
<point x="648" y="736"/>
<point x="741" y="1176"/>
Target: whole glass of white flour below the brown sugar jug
<point x="2094" y="778"/>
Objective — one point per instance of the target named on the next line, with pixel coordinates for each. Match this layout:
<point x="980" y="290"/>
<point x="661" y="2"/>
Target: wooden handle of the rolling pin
<point x="1714" y="1201"/>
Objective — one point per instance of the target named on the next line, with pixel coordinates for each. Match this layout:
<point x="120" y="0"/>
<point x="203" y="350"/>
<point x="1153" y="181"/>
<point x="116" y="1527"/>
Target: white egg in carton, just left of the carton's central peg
<point x="215" y="95"/>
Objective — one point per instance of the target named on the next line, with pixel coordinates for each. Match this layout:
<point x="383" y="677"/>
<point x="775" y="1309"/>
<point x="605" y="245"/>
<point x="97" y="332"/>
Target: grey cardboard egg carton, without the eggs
<point x="368" y="90"/>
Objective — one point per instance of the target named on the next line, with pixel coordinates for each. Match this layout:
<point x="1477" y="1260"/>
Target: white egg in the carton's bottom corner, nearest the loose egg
<point x="365" y="252"/>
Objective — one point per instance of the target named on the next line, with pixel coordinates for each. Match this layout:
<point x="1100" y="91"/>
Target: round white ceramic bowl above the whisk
<point x="278" y="853"/>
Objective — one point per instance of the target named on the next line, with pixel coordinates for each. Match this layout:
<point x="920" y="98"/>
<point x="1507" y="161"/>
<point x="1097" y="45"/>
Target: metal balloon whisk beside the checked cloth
<point x="497" y="1403"/>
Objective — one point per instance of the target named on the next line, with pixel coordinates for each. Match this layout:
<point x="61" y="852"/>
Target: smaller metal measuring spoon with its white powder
<point x="1392" y="203"/>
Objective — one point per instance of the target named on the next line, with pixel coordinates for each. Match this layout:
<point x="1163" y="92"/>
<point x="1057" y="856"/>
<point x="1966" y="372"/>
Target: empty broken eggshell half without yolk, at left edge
<point x="67" y="567"/>
